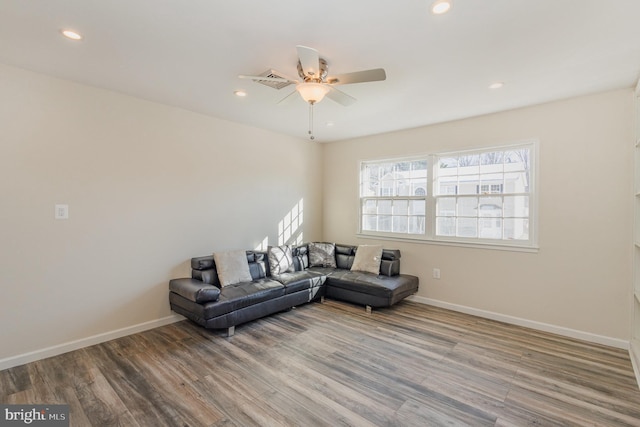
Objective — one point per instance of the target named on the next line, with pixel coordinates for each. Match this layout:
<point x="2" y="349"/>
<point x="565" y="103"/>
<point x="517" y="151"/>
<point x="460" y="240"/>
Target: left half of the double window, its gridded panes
<point x="393" y="197"/>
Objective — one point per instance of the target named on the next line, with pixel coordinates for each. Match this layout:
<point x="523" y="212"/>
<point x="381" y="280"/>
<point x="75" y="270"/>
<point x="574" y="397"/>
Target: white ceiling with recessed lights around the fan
<point x="188" y="53"/>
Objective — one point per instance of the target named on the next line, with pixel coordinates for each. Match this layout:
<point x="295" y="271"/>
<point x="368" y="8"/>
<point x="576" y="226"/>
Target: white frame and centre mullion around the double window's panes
<point x="431" y="199"/>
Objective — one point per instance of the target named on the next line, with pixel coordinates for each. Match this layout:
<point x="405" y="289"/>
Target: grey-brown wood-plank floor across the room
<point x="332" y="364"/>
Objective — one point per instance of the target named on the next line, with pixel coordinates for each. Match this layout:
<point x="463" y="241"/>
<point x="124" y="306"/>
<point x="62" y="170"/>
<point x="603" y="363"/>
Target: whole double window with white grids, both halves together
<point x="482" y="196"/>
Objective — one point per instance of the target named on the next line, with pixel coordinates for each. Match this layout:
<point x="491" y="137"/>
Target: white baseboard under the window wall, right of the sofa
<point x="559" y="330"/>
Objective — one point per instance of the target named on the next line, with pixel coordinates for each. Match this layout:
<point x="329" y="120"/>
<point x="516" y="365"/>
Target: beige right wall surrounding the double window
<point x="580" y="278"/>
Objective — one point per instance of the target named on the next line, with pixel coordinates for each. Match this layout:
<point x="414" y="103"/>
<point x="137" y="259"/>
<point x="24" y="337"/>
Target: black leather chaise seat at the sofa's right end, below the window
<point x="370" y="284"/>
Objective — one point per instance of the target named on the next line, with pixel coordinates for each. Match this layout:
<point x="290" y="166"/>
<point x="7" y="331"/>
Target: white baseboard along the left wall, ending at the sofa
<point x="55" y="350"/>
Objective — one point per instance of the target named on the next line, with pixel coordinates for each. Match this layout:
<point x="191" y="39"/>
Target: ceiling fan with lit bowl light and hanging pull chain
<point x="316" y="82"/>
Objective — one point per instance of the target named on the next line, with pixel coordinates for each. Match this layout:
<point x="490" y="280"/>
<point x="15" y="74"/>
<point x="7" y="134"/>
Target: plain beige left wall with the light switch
<point x="148" y="187"/>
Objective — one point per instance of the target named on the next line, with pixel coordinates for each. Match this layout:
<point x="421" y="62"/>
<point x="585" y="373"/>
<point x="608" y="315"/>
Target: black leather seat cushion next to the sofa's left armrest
<point x="244" y="294"/>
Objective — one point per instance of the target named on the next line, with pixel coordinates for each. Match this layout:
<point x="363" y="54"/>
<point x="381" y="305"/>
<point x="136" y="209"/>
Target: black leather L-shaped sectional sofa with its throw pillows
<point x="285" y="277"/>
